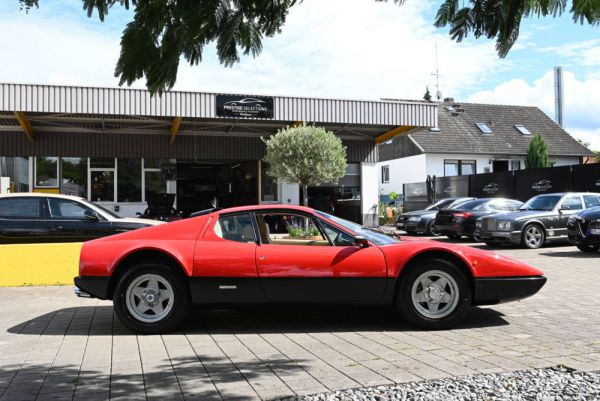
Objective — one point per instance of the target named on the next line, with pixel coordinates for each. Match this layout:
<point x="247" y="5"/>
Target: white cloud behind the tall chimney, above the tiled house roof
<point x="581" y="106"/>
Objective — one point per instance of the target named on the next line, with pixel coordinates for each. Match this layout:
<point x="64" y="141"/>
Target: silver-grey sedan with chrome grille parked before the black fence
<point x="541" y="219"/>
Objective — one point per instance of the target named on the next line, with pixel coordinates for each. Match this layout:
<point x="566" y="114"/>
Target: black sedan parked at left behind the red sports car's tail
<point x="38" y="217"/>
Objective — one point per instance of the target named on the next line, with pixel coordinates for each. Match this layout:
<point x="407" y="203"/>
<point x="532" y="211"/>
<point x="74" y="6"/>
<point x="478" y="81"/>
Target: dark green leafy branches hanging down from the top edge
<point x="162" y="31"/>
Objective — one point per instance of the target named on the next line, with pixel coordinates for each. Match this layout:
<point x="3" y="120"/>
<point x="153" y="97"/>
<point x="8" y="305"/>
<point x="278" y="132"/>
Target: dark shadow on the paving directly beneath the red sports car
<point x="99" y="320"/>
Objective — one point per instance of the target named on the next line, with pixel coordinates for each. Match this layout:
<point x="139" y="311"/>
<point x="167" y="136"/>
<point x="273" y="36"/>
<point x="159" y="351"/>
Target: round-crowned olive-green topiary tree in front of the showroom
<point x="306" y="155"/>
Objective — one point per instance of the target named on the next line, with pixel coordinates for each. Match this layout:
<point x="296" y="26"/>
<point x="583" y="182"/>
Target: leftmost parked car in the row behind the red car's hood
<point x="423" y="221"/>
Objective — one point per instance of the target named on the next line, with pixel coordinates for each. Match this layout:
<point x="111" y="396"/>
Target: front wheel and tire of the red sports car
<point x="455" y="289"/>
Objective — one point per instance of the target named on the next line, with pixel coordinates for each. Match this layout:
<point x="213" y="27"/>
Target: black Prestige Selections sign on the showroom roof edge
<point x="244" y="106"/>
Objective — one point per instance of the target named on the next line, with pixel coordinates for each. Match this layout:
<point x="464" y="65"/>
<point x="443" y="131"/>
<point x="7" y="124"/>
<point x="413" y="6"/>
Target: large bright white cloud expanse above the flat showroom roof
<point x="338" y="48"/>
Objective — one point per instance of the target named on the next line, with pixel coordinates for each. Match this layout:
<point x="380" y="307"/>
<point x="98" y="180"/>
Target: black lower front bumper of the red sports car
<point x="495" y="290"/>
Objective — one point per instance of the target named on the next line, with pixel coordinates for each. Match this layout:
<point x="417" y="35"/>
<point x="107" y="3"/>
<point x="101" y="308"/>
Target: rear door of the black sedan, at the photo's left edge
<point x="22" y="220"/>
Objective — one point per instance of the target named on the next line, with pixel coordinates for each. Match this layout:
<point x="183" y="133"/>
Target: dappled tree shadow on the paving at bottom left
<point x="191" y="377"/>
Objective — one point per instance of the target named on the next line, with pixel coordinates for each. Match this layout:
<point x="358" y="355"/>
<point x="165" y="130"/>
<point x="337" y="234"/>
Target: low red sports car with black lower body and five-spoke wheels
<point x="291" y="254"/>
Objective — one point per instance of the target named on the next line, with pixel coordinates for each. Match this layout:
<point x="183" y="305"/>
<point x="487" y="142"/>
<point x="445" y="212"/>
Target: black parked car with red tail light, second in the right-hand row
<point x="460" y="221"/>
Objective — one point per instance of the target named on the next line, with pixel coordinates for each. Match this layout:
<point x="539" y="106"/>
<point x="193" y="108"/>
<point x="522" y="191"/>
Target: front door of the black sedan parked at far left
<point x="67" y="222"/>
